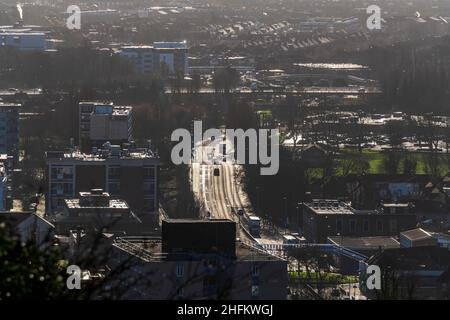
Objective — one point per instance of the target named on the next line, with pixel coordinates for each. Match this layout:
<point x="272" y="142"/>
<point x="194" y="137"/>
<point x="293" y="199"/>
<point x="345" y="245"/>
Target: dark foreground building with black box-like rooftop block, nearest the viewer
<point x="214" y="268"/>
